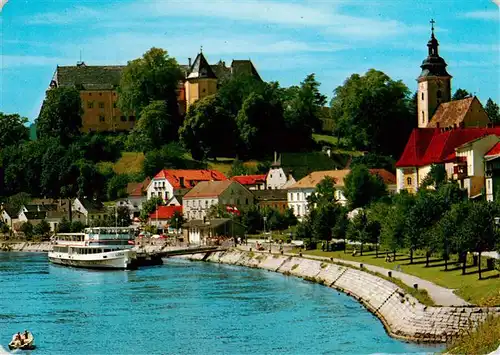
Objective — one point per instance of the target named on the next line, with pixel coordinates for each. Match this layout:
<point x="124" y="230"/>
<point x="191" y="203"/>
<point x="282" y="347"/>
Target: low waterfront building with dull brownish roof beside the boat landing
<point x="212" y="231"/>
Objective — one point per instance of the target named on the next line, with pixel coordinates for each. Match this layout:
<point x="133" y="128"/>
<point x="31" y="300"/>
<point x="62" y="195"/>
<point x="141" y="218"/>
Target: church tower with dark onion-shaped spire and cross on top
<point x="434" y="83"/>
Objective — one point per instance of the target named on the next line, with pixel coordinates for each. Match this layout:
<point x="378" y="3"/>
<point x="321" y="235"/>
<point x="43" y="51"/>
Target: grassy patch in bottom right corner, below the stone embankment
<point x="485" y="339"/>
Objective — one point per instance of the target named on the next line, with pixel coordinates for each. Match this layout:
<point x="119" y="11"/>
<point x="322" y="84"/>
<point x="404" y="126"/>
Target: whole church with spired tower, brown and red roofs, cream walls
<point x="444" y="129"/>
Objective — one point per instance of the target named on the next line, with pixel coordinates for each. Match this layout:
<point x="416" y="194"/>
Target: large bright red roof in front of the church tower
<point x="430" y="145"/>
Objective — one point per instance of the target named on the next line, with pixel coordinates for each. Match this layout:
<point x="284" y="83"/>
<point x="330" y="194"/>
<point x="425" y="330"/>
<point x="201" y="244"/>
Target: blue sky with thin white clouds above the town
<point x="286" y="40"/>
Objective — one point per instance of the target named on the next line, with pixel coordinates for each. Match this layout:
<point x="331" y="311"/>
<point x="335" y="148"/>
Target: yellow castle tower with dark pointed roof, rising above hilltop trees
<point x="201" y="80"/>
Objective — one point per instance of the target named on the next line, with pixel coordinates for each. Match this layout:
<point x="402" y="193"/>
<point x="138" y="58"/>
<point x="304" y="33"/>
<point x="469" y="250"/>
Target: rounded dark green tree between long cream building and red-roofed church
<point x="362" y="188"/>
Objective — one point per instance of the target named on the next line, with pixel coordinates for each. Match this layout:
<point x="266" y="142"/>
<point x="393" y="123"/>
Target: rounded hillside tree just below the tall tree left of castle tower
<point x="155" y="127"/>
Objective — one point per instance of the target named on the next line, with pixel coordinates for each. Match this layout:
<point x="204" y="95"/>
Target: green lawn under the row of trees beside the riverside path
<point x="484" y="292"/>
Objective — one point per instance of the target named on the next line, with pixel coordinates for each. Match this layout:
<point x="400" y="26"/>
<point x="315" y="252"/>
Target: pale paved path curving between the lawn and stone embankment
<point x="440" y="295"/>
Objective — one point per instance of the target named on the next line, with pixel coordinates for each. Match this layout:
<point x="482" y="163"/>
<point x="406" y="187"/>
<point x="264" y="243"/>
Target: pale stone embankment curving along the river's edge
<point x="402" y="315"/>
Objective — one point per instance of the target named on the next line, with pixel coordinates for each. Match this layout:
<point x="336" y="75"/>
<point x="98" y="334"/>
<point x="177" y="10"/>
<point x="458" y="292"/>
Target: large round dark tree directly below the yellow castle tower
<point x="200" y="132"/>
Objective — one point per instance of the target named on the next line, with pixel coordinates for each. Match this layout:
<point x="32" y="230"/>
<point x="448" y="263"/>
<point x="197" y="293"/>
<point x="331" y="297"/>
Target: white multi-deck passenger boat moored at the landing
<point x="96" y="248"/>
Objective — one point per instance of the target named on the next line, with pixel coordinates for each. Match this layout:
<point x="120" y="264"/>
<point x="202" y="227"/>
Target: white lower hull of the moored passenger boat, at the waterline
<point x="124" y="260"/>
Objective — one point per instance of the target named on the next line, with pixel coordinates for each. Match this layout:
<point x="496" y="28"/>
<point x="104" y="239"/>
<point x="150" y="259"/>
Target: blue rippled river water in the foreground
<point x="182" y="307"/>
